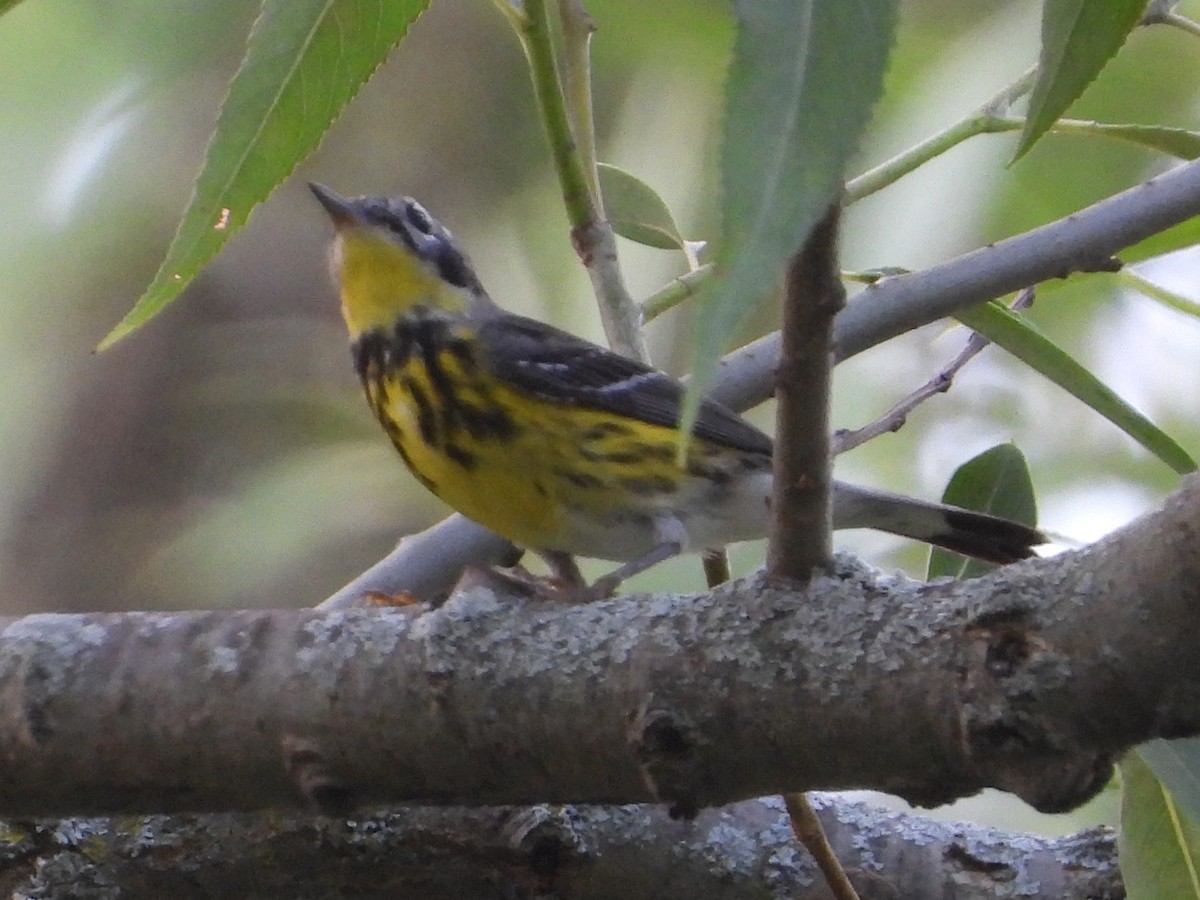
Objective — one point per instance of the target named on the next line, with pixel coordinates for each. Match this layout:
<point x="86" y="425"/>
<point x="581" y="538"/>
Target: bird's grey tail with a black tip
<point x="974" y="535"/>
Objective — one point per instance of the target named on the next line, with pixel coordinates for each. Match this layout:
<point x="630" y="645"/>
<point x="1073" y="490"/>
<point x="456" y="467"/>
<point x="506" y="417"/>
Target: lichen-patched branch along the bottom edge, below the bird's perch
<point x="571" y="853"/>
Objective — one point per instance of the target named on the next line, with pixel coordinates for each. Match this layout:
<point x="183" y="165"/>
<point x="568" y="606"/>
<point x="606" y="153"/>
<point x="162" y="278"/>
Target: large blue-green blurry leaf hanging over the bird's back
<point x="805" y="77"/>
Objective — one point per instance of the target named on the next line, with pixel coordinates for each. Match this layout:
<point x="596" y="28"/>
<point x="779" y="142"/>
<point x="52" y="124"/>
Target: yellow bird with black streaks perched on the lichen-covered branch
<point x="554" y="442"/>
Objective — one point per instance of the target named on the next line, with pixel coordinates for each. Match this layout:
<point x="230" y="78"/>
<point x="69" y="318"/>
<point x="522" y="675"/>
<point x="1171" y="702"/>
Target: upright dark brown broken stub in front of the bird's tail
<point x="801" y="525"/>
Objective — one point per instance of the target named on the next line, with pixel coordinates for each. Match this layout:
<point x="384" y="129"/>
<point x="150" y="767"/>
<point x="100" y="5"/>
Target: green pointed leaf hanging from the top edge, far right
<point x="1078" y="39"/>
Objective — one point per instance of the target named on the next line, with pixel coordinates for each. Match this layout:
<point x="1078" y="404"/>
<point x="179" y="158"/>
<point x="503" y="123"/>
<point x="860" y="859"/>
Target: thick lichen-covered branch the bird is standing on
<point x="1030" y="680"/>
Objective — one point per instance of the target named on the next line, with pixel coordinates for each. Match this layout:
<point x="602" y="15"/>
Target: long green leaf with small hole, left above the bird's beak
<point x="304" y="63"/>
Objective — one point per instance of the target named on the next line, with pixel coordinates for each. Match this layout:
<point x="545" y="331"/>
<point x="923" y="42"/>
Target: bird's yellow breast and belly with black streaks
<point x="541" y="475"/>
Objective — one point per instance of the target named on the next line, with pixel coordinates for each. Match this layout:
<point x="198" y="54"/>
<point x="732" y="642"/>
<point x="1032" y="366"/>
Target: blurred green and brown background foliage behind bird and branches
<point x="224" y="458"/>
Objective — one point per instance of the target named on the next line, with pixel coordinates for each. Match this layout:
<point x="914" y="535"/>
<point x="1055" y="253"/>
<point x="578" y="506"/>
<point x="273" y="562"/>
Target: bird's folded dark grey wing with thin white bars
<point x="563" y="369"/>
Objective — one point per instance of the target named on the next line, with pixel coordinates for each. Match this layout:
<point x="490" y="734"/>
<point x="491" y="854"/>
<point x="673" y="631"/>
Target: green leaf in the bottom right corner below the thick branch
<point x="1159" y="848"/>
